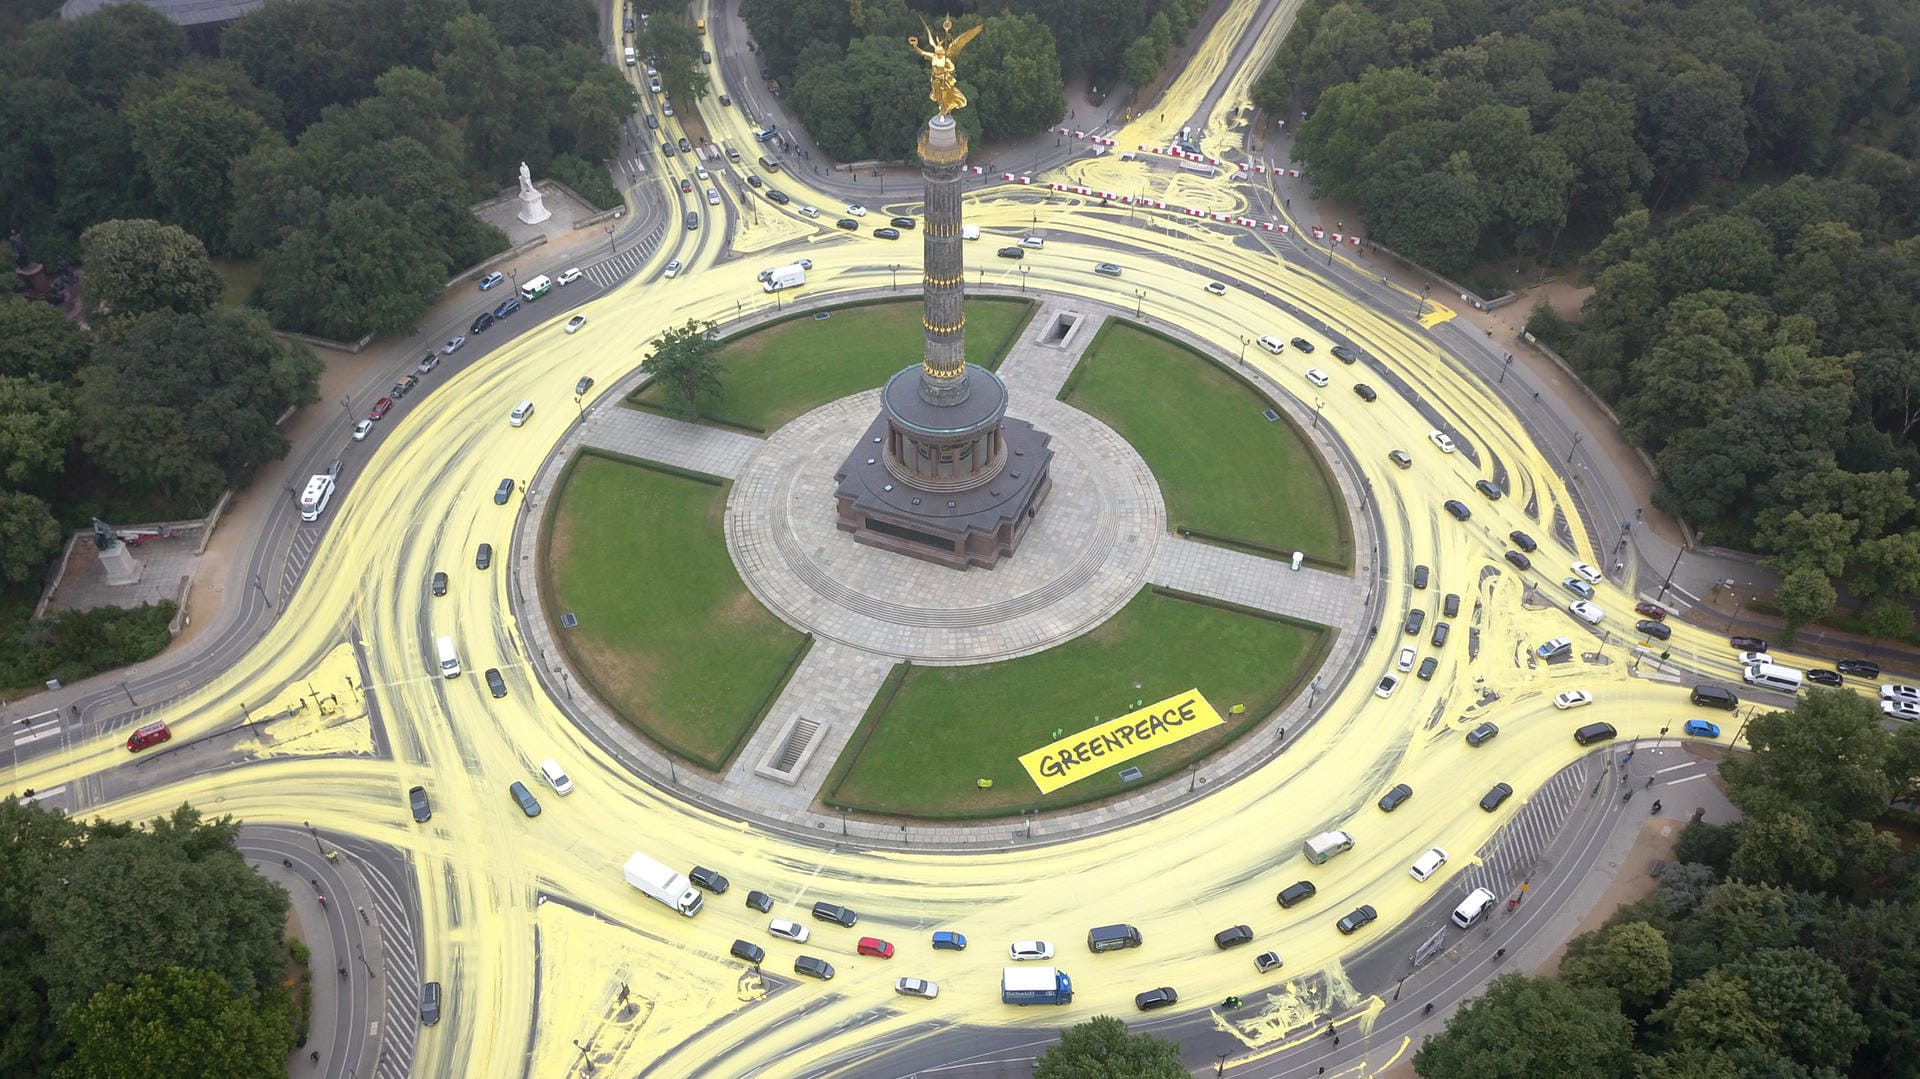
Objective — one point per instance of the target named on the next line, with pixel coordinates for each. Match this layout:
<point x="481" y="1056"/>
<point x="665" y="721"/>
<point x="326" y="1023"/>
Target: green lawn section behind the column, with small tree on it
<point x="794" y="368"/>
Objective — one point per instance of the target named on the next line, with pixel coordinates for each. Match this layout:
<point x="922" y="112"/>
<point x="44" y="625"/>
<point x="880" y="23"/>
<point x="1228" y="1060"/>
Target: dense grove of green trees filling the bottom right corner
<point x="1779" y="946"/>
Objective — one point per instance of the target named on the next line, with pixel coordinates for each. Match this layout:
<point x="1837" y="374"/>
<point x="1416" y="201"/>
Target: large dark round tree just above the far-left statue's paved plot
<point x="189" y="402"/>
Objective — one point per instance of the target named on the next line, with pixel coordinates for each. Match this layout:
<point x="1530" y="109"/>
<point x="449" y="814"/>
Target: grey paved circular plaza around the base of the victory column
<point x="1086" y="556"/>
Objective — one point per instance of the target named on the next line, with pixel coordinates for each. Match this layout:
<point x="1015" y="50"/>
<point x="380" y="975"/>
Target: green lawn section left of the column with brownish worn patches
<point x="669" y="636"/>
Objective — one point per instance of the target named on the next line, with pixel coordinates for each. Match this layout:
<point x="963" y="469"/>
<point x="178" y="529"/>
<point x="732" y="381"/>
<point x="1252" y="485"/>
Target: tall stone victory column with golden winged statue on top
<point x="942" y="473"/>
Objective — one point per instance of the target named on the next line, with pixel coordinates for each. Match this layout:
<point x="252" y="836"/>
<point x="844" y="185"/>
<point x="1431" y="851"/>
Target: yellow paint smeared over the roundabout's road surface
<point x="527" y="978"/>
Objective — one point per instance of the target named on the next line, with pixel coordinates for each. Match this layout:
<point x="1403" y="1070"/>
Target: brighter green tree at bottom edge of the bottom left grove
<point x="178" y="1022"/>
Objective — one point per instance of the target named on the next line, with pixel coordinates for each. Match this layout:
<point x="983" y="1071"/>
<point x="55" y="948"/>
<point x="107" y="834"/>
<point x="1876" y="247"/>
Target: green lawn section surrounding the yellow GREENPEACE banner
<point x="949" y="727"/>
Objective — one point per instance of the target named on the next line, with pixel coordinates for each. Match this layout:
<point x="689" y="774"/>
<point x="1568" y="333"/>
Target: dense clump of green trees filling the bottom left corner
<point x="139" y="951"/>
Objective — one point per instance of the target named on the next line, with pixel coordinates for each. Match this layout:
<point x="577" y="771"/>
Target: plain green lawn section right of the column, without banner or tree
<point x="1224" y="469"/>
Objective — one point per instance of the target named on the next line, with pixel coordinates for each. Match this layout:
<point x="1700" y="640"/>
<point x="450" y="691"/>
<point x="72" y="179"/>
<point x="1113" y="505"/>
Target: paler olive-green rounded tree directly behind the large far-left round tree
<point x="143" y="266"/>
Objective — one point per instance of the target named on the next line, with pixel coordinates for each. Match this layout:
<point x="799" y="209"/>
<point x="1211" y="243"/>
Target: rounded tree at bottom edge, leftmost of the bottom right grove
<point x="1539" y="1026"/>
